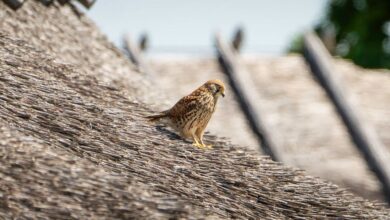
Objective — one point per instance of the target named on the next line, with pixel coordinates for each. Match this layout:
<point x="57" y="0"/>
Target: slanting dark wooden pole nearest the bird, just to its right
<point x="245" y="96"/>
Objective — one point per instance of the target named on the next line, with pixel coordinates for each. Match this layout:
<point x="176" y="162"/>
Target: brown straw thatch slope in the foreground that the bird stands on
<point x="79" y="122"/>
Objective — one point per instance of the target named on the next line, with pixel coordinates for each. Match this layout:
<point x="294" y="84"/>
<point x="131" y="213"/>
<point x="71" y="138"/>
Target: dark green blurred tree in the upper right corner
<point x="356" y="29"/>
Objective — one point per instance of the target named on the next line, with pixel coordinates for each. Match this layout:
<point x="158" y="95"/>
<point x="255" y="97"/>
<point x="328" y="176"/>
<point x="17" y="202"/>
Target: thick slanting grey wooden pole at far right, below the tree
<point x="363" y="135"/>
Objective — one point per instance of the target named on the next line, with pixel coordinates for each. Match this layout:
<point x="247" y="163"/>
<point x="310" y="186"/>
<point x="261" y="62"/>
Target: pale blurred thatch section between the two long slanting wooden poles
<point x="306" y="126"/>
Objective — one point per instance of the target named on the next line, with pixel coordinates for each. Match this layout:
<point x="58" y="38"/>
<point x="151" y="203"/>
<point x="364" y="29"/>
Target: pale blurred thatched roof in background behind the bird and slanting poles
<point x="301" y="118"/>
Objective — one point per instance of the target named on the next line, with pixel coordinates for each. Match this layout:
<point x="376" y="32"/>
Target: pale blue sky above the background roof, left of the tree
<point x="184" y="26"/>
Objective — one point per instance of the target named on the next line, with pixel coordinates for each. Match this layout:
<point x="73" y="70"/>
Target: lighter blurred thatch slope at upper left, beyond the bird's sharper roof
<point x="74" y="39"/>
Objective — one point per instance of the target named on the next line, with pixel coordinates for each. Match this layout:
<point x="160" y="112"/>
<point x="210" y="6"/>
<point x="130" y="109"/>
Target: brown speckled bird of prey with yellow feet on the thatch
<point x="190" y="115"/>
